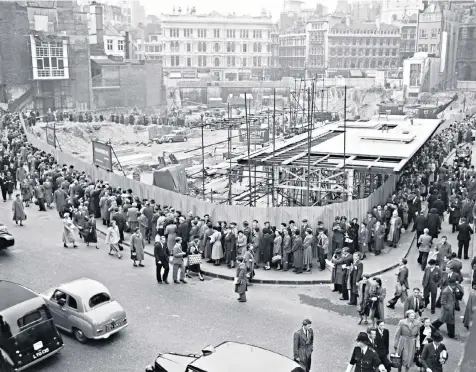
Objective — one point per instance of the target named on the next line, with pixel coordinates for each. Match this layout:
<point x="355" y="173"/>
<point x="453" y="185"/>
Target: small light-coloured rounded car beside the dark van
<point x="85" y="308"/>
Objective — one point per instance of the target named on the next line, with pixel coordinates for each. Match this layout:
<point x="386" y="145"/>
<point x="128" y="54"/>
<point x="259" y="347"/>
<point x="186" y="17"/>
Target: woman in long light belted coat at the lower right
<point x="407" y="339"/>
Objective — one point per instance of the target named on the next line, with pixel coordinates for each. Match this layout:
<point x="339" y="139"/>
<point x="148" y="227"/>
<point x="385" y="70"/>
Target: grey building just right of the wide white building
<point x="293" y="46"/>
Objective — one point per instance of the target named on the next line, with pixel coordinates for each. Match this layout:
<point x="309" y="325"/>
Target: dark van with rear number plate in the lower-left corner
<point x="27" y="332"/>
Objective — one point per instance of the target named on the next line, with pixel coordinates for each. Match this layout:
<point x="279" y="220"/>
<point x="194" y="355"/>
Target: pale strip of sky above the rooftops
<point x="251" y="7"/>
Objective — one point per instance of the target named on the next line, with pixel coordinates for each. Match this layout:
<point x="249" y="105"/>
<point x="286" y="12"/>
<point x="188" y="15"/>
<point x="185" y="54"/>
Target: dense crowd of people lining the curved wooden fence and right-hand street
<point x="184" y="240"/>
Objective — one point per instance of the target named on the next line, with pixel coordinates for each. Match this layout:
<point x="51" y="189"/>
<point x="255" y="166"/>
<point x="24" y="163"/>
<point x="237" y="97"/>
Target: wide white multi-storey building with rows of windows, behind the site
<point x="226" y="47"/>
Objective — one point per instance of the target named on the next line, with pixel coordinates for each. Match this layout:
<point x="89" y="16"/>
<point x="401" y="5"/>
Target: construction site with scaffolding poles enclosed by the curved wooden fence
<point x="315" y="145"/>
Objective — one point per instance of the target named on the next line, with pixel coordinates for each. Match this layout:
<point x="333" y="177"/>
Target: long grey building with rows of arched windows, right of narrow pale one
<point x="362" y="46"/>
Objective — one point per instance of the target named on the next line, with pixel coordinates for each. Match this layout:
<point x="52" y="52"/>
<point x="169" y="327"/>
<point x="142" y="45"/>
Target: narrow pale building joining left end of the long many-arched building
<point x="317" y="46"/>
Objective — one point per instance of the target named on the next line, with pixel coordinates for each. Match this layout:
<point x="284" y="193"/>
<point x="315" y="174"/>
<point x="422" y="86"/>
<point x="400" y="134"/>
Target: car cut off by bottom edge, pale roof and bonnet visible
<point x="228" y="356"/>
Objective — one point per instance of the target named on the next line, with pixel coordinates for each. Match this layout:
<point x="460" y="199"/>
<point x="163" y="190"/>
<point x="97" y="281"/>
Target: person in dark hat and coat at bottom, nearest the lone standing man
<point x="364" y="358"/>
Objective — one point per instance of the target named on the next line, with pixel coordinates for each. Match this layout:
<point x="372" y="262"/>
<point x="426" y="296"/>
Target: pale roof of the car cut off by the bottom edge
<point x="252" y="359"/>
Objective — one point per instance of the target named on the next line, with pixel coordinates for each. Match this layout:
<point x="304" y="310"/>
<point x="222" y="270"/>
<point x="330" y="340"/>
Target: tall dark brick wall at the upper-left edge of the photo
<point x="15" y="56"/>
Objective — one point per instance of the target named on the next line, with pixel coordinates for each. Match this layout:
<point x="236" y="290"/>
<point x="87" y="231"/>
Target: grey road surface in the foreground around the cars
<point x="185" y="317"/>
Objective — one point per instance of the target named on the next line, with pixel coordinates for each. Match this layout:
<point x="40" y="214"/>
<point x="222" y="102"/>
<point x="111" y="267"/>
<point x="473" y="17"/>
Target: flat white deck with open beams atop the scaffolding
<point x="368" y="147"/>
